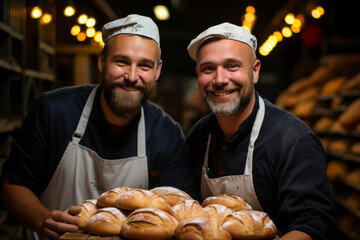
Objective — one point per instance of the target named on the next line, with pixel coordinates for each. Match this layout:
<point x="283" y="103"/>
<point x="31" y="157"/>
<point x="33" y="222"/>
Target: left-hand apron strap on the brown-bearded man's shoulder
<point x="80" y="130"/>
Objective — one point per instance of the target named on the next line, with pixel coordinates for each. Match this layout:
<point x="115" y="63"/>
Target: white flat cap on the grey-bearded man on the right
<point x="223" y="30"/>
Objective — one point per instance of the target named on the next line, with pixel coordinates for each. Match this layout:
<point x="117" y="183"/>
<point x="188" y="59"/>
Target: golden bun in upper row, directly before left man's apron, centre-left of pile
<point x="139" y="198"/>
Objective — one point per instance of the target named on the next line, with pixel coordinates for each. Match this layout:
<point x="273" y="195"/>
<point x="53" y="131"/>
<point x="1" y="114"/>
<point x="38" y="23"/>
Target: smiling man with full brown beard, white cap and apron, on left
<point x="79" y="142"/>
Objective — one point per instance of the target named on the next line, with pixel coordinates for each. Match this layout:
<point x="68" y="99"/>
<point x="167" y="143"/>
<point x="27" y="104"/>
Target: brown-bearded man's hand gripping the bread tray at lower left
<point x="57" y="223"/>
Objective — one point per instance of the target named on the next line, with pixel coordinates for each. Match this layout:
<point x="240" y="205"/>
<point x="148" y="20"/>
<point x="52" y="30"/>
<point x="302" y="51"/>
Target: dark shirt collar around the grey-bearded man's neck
<point x="243" y="131"/>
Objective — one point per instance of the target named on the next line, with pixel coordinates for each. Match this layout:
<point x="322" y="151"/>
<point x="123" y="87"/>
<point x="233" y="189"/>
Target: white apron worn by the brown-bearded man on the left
<point x="82" y="174"/>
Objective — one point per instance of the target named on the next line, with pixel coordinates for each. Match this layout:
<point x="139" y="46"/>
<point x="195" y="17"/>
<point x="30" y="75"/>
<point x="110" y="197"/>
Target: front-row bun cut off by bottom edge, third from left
<point x="201" y="229"/>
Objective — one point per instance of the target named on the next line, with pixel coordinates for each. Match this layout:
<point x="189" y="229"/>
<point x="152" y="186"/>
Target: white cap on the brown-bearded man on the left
<point x="132" y="24"/>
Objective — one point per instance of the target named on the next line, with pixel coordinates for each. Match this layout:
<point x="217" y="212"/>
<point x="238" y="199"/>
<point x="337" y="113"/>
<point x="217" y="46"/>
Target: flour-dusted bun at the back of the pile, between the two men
<point x="171" y="194"/>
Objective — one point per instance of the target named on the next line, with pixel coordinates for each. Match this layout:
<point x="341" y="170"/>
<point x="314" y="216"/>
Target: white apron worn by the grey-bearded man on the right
<point x="241" y="185"/>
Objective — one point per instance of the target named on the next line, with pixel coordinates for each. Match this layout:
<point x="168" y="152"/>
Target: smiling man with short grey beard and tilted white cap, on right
<point x="249" y="147"/>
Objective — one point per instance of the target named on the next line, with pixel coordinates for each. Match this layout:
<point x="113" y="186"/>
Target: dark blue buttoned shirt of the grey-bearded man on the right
<point x="289" y="168"/>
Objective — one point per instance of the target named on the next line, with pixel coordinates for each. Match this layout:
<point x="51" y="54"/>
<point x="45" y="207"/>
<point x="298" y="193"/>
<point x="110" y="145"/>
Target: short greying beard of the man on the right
<point x="226" y="108"/>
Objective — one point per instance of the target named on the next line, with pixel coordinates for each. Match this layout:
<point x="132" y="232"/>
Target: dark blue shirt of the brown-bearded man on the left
<point x="49" y="126"/>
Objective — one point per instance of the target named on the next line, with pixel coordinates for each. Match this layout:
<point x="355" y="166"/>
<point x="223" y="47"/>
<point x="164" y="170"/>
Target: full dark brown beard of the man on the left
<point x="124" y="104"/>
